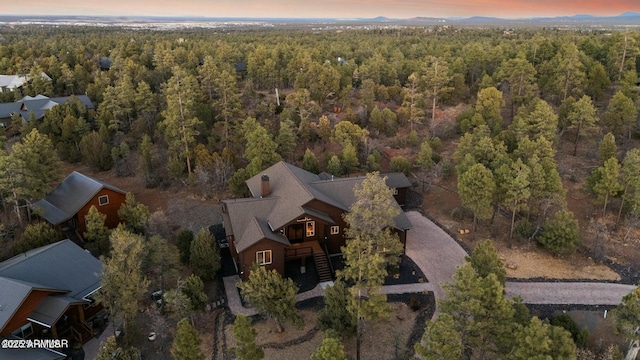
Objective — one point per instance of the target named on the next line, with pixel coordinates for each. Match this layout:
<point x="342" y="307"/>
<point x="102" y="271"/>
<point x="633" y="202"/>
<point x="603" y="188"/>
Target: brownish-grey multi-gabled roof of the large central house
<point x="291" y="189"/>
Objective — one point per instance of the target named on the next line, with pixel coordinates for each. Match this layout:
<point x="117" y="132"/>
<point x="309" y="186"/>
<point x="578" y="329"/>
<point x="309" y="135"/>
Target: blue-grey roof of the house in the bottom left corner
<point x="62" y="267"/>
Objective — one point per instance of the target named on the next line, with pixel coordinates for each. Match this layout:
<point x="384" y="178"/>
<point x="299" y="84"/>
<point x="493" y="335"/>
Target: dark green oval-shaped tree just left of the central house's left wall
<point x="204" y="257"/>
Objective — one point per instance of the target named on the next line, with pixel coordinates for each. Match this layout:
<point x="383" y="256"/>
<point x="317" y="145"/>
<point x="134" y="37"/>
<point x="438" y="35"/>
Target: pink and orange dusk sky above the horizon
<point x="321" y="8"/>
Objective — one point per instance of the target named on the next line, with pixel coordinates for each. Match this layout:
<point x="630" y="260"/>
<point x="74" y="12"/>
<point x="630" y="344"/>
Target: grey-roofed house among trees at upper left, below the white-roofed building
<point x="36" y="105"/>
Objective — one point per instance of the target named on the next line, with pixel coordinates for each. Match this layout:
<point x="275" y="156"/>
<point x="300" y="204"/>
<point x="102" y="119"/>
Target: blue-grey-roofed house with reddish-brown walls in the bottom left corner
<point x="47" y="294"/>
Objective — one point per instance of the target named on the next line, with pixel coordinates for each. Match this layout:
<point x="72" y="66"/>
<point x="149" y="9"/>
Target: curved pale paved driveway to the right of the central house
<point x="438" y="255"/>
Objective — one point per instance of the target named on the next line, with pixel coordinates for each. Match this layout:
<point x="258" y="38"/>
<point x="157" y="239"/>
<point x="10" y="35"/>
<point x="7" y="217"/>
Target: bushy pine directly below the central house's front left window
<point x="271" y="295"/>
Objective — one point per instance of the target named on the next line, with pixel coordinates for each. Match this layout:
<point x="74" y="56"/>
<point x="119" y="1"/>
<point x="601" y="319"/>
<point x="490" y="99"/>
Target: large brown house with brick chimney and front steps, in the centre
<point x="295" y="214"/>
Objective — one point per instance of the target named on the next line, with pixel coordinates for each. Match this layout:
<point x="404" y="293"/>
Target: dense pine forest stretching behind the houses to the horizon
<point x="205" y="110"/>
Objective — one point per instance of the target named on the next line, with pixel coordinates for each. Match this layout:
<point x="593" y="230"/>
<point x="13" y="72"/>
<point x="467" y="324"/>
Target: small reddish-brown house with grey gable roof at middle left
<point x="68" y="204"/>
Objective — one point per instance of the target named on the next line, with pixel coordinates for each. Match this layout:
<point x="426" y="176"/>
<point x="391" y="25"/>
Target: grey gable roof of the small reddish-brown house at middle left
<point x="70" y="196"/>
